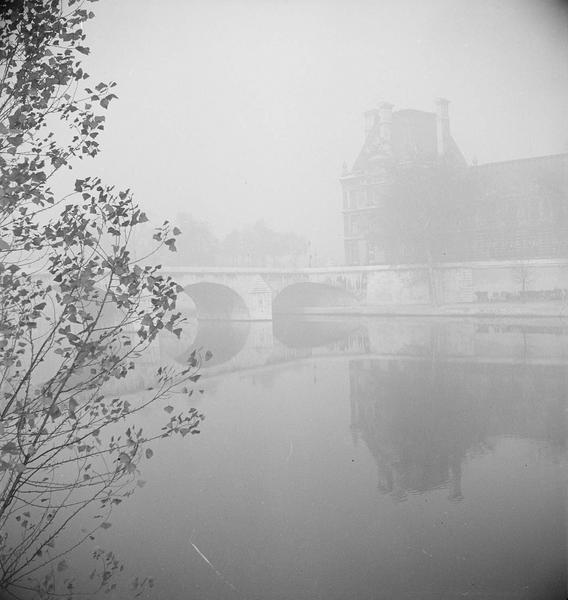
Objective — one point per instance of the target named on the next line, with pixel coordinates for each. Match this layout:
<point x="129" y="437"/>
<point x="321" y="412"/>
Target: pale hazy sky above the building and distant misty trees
<point x="235" y="110"/>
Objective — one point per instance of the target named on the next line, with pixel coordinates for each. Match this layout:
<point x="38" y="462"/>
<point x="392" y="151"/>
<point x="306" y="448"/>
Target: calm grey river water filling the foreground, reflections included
<point x="362" y="459"/>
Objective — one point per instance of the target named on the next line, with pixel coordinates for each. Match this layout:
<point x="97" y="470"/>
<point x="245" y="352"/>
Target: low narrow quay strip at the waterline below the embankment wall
<point x="480" y="310"/>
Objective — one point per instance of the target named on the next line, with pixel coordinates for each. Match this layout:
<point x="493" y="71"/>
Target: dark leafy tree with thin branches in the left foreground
<point x="76" y="311"/>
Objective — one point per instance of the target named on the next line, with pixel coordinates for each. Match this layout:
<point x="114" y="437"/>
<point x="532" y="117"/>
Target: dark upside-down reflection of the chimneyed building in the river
<point x="421" y="419"/>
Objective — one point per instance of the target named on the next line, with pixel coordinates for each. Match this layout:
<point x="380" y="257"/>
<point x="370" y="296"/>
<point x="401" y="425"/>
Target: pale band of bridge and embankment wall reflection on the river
<point x="240" y="346"/>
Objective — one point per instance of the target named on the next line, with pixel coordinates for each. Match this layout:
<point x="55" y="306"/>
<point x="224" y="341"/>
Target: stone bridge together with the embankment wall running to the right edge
<point x="256" y="294"/>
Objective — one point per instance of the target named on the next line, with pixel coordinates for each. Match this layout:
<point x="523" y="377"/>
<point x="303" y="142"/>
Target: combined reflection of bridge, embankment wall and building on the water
<point x="424" y="394"/>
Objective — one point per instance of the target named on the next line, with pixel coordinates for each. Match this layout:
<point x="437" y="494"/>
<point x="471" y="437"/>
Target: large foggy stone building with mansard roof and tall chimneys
<point x="410" y="197"/>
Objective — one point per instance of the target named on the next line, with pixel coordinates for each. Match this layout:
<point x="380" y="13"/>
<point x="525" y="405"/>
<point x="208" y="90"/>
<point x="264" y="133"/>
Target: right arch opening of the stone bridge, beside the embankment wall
<point x="310" y="295"/>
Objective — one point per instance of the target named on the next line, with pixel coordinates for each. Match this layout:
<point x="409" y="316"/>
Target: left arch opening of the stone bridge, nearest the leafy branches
<point x="217" y="301"/>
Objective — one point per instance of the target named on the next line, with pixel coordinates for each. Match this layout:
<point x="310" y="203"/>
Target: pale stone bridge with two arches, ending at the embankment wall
<point x="255" y="294"/>
